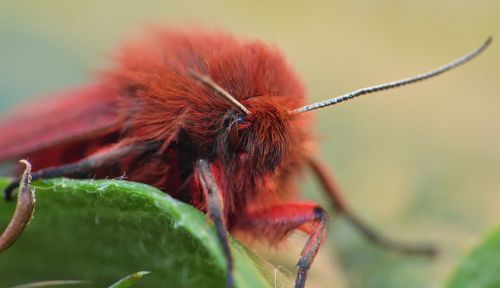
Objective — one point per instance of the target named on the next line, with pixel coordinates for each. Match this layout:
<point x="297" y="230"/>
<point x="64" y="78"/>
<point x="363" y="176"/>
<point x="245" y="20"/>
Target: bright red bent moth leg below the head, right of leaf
<point x="276" y="222"/>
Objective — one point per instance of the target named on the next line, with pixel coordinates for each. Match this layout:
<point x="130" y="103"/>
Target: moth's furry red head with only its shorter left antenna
<point x="256" y="131"/>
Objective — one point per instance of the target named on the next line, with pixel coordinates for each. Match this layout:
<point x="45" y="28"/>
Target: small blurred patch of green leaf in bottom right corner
<point x="481" y="268"/>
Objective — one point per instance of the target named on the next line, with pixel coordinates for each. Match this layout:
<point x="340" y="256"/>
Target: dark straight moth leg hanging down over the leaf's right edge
<point x="215" y="210"/>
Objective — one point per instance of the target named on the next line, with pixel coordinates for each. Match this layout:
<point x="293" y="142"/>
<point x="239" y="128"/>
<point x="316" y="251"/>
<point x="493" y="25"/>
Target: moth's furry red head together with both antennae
<point x="260" y="129"/>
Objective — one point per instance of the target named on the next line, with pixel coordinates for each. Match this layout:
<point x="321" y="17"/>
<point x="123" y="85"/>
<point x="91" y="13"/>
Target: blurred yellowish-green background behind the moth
<point x="419" y="163"/>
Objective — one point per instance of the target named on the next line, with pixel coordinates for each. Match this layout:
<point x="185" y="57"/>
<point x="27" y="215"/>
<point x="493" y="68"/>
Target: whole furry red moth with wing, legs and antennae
<point x="212" y="120"/>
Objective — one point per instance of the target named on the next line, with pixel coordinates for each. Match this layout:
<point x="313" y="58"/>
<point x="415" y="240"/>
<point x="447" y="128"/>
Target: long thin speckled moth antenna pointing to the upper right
<point x="368" y="90"/>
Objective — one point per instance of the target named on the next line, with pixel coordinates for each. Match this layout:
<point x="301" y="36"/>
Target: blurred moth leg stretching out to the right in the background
<point x="369" y="233"/>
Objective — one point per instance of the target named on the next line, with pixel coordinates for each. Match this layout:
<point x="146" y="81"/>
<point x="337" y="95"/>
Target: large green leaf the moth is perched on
<point x="101" y="230"/>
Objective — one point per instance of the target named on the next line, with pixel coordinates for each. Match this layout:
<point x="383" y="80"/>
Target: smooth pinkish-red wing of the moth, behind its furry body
<point x="66" y="118"/>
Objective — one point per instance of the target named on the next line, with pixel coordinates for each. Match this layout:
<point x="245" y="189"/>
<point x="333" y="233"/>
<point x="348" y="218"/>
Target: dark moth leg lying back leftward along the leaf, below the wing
<point x="88" y="164"/>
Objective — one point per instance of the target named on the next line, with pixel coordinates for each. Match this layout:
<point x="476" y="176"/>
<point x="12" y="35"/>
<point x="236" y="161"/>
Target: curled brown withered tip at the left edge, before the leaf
<point x="25" y="208"/>
